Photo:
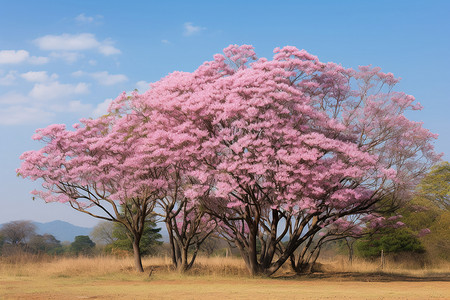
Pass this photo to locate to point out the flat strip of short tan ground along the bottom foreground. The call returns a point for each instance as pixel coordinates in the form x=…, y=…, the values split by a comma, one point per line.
x=166, y=287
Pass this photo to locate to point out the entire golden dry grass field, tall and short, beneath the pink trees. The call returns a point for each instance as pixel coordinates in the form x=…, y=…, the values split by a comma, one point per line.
x=212, y=278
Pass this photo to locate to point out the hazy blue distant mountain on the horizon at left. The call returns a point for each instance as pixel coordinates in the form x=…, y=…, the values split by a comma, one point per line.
x=61, y=230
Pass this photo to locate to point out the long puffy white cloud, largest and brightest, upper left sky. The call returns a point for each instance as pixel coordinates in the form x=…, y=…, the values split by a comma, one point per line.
x=75, y=42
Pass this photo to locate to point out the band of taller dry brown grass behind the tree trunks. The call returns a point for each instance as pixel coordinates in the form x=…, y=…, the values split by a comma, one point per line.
x=32, y=265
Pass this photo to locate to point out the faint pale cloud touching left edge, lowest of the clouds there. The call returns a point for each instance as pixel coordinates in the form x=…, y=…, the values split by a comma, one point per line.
x=16, y=115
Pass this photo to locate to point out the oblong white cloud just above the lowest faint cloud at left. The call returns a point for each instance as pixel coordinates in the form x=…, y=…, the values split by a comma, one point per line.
x=55, y=90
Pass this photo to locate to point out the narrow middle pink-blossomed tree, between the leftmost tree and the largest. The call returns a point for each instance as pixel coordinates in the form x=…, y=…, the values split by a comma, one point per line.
x=167, y=150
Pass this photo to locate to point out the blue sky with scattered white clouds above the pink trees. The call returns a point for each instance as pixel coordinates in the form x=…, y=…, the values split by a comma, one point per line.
x=63, y=60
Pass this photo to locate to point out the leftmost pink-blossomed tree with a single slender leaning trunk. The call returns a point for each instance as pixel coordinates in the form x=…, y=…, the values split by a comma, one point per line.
x=97, y=169
